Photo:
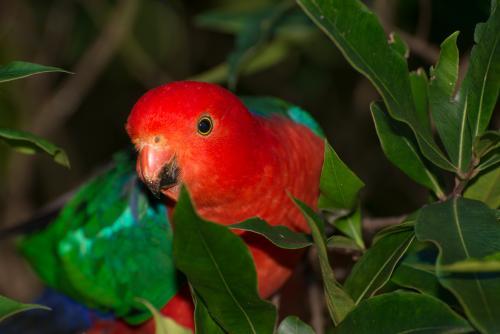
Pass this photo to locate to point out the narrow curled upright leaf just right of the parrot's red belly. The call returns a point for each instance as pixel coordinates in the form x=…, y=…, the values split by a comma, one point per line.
x=338, y=301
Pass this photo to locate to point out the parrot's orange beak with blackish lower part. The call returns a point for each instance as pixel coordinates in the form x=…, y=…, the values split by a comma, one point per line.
x=158, y=169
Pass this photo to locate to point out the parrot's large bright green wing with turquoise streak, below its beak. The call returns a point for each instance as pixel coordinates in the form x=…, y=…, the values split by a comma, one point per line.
x=110, y=244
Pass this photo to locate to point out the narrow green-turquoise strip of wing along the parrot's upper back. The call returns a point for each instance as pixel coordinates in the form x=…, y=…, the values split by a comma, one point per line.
x=270, y=106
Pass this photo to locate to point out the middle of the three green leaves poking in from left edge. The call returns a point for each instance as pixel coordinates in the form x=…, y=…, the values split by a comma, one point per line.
x=29, y=143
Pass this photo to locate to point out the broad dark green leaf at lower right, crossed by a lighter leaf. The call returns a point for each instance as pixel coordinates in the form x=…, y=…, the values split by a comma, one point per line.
x=463, y=229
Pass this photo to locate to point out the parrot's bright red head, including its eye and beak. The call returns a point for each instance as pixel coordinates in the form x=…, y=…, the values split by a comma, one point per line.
x=192, y=133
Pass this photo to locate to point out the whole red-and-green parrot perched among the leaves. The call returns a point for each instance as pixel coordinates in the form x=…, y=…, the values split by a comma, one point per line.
x=112, y=242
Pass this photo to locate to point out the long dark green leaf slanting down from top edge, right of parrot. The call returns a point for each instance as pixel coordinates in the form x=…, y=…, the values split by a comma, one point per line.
x=365, y=46
